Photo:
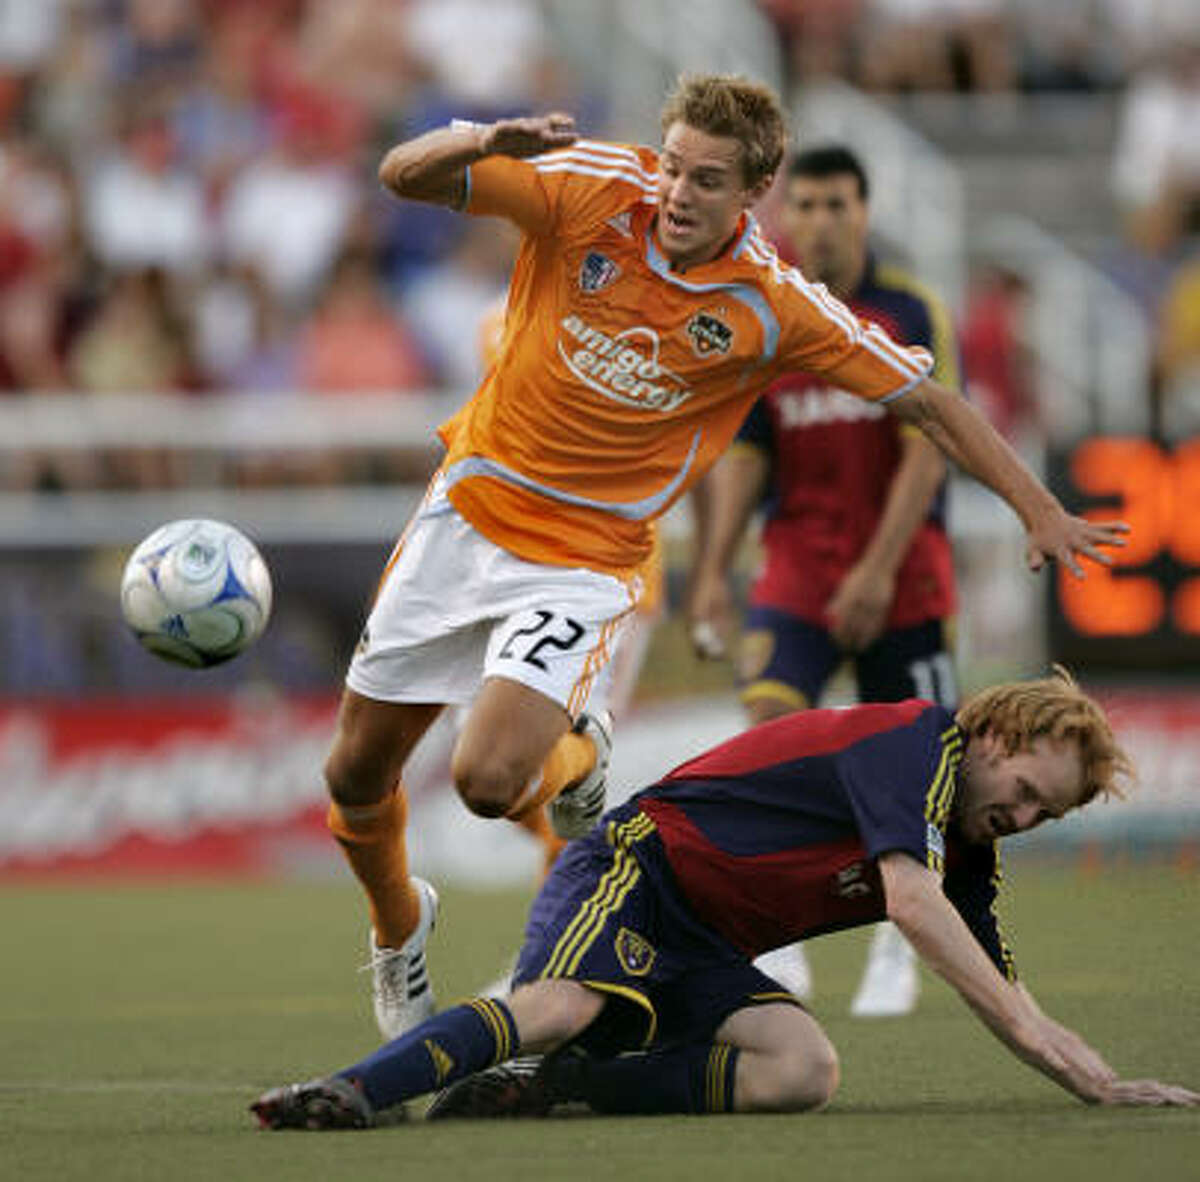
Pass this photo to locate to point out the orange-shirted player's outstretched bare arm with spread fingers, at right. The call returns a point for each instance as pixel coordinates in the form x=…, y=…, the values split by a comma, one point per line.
x=971, y=442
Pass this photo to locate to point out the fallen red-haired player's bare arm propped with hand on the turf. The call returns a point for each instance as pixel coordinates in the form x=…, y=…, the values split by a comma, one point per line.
x=920, y=909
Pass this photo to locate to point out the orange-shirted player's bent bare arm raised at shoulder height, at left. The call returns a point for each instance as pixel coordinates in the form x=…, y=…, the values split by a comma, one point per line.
x=434, y=167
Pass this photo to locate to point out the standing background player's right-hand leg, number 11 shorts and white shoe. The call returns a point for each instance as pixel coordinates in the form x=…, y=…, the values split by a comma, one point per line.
x=902, y=664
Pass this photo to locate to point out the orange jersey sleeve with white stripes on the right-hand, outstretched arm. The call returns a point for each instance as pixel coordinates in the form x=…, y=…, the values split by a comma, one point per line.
x=821, y=335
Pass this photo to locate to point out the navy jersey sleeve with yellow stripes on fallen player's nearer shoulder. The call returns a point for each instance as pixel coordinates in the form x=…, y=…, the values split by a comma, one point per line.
x=901, y=784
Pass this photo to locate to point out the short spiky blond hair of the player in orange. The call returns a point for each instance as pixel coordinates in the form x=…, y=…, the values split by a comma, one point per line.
x=736, y=107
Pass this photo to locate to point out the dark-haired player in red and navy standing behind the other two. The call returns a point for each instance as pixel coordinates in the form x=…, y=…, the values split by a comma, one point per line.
x=856, y=557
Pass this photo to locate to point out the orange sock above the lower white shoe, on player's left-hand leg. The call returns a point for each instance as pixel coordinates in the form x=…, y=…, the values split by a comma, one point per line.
x=373, y=838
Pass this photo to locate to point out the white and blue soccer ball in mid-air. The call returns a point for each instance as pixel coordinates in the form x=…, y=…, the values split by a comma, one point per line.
x=196, y=593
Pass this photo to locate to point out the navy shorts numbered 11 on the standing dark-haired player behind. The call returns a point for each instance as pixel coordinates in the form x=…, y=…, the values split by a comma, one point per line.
x=789, y=658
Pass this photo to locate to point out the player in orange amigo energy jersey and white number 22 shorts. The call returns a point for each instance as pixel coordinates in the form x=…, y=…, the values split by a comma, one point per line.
x=645, y=313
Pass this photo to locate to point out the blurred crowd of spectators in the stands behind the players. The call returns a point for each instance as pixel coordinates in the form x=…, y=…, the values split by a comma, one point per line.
x=188, y=196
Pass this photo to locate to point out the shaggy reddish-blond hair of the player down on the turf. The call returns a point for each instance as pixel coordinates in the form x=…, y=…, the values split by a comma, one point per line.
x=1054, y=707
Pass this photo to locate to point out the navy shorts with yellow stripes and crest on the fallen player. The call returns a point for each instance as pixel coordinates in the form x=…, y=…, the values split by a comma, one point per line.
x=610, y=916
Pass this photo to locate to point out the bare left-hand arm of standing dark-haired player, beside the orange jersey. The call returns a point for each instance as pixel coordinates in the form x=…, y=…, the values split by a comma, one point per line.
x=731, y=490
